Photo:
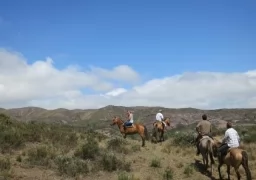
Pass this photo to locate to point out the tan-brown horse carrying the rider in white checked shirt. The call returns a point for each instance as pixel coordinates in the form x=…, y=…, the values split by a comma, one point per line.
x=234, y=158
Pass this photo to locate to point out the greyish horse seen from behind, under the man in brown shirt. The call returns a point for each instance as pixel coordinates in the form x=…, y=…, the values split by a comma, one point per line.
x=206, y=149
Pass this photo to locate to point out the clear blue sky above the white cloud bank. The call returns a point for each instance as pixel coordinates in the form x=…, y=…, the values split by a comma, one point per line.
x=156, y=38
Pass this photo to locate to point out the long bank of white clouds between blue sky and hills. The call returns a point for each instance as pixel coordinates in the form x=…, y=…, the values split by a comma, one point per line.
x=41, y=84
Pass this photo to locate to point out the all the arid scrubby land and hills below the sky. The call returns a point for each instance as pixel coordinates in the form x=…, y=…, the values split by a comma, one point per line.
x=80, y=144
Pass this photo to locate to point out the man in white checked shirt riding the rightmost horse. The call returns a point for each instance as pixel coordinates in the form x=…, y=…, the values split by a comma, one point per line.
x=230, y=140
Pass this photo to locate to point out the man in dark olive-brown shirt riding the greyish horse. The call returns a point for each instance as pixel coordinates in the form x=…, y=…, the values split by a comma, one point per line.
x=203, y=128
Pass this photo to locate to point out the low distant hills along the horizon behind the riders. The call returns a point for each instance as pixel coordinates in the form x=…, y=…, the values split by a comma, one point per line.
x=102, y=117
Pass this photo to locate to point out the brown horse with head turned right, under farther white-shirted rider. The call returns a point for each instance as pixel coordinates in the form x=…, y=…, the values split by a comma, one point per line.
x=158, y=127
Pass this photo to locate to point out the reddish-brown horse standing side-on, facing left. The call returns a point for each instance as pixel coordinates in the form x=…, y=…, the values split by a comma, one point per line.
x=136, y=128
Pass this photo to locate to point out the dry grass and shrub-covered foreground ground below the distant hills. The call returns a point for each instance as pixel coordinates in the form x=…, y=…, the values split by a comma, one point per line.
x=70, y=154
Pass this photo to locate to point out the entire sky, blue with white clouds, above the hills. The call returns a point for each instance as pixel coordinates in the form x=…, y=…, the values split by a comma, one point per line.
x=89, y=54
